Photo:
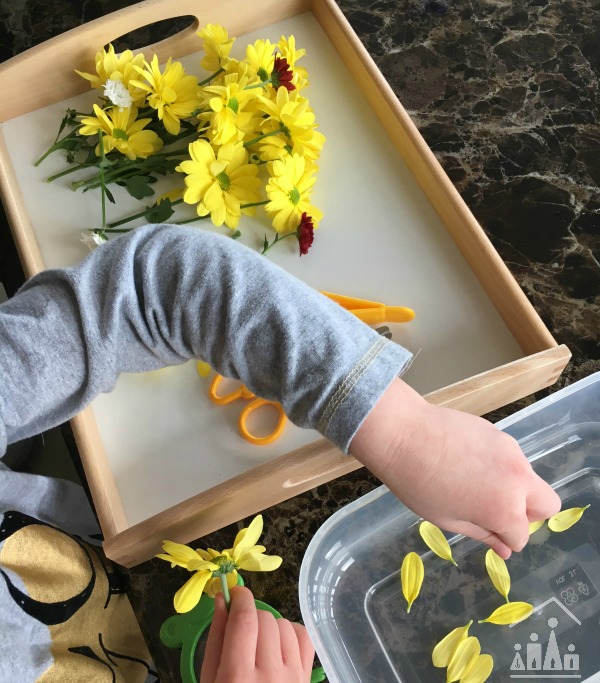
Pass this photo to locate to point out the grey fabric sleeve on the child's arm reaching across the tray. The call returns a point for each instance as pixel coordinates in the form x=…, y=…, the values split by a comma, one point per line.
x=162, y=295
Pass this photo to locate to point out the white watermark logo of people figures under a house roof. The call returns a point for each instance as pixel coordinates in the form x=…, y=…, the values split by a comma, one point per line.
x=532, y=660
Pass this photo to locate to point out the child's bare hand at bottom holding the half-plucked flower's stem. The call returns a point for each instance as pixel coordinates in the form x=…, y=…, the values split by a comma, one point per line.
x=248, y=645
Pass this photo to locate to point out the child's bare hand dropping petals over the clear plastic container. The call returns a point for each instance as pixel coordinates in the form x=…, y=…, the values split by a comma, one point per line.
x=453, y=469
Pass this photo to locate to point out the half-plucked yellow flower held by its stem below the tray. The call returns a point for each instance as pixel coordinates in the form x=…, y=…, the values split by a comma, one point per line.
x=209, y=565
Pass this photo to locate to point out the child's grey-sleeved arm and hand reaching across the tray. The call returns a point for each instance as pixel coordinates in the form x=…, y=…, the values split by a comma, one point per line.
x=162, y=295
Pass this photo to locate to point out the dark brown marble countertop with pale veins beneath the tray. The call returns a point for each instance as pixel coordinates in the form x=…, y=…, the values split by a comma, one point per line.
x=507, y=94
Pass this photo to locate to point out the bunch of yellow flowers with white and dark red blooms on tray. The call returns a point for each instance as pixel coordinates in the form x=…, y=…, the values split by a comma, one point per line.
x=251, y=138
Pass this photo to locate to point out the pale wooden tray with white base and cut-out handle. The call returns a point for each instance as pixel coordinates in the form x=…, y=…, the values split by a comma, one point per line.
x=160, y=459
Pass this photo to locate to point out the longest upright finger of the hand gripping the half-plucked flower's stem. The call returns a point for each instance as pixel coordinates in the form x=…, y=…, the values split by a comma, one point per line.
x=241, y=633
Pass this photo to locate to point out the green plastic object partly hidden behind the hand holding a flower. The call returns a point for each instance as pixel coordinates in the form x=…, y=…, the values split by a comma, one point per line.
x=183, y=631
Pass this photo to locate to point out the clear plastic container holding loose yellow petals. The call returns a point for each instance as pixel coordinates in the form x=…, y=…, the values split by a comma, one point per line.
x=350, y=592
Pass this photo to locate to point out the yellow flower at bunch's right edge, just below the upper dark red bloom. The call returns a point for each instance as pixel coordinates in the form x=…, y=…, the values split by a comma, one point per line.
x=290, y=113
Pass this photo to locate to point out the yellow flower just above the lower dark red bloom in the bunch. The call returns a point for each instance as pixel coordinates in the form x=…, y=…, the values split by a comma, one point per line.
x=289, y=190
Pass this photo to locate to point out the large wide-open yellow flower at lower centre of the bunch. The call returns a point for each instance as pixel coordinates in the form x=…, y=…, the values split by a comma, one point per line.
x=220, y=184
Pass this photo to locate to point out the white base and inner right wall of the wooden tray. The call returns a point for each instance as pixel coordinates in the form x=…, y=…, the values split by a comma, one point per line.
x=380, y=240
